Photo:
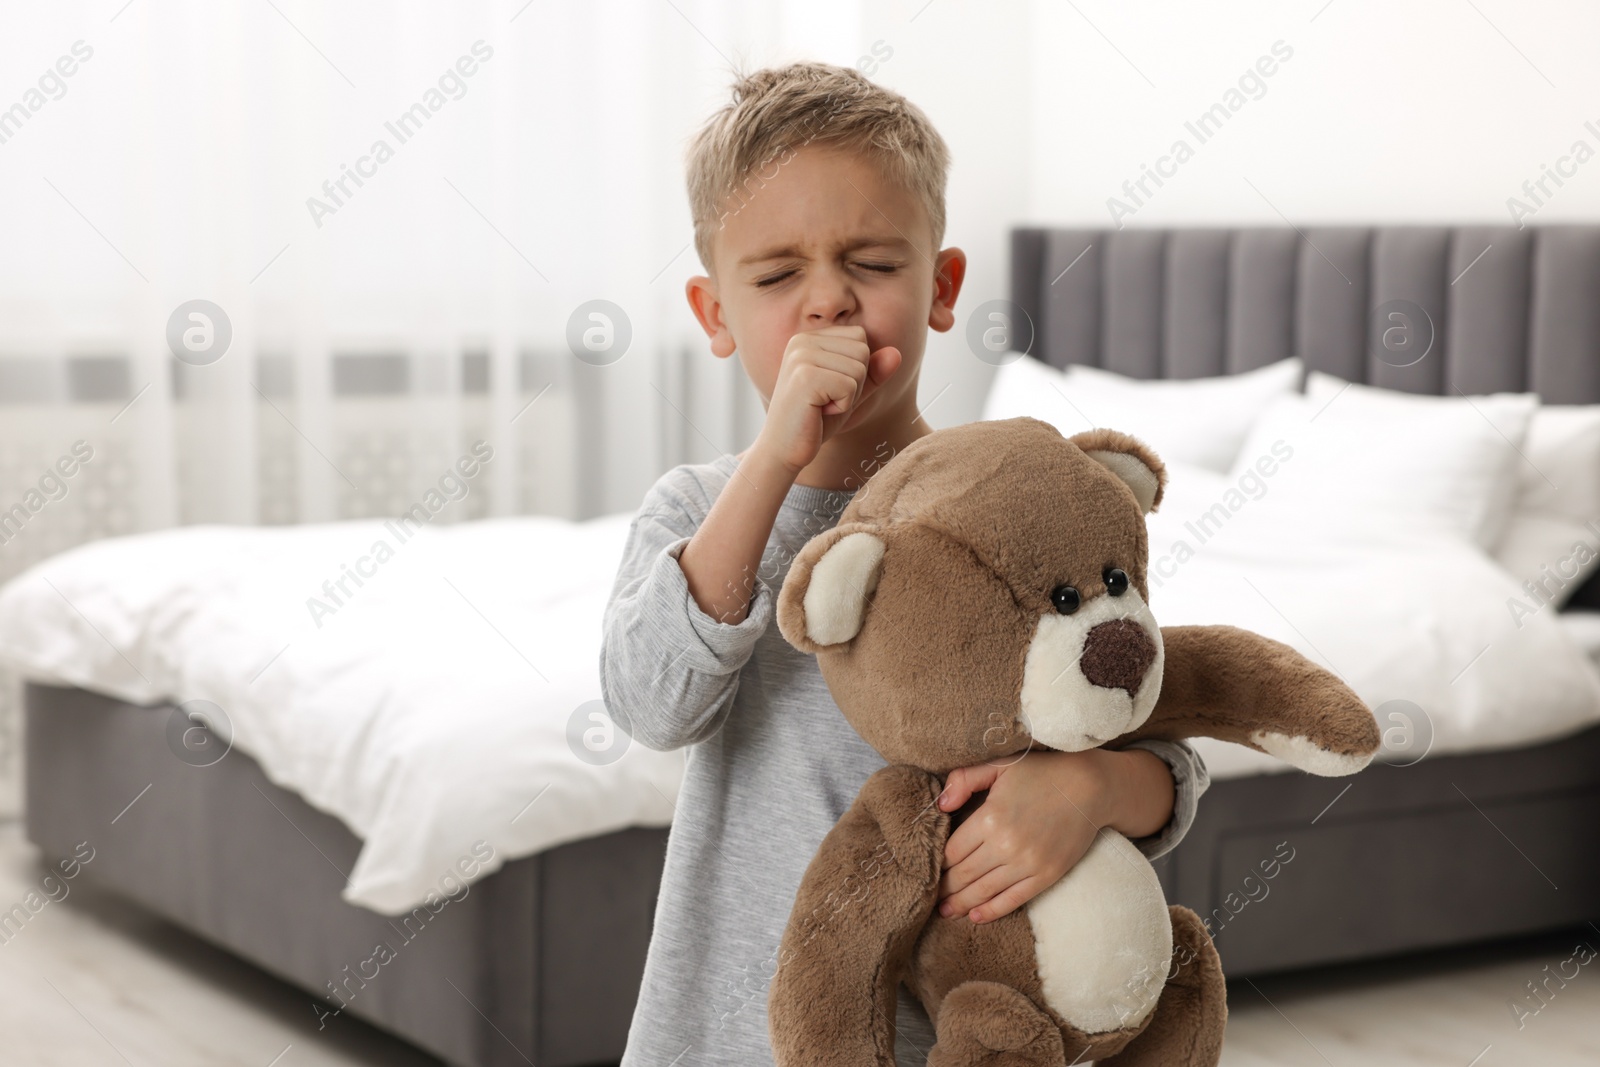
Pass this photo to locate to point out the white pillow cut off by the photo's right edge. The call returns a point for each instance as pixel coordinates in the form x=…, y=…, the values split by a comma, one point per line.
x=1556, y=521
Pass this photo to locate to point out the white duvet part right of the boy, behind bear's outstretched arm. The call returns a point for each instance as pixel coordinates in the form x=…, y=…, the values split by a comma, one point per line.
x=1420, y=626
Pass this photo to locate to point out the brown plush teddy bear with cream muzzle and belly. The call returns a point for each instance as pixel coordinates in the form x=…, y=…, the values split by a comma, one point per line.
x=985, y=596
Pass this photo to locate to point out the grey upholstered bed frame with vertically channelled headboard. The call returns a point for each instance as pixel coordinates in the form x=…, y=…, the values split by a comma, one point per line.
x=542, y=962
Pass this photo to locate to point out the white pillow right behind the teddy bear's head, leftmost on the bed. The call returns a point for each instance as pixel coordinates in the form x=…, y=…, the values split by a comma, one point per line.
x=1199, y=422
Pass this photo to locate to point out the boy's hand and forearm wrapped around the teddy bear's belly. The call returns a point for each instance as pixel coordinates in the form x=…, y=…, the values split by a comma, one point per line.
x=1041, y=817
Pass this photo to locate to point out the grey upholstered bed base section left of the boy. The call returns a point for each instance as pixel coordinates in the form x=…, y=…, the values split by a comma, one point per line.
x=538, y=964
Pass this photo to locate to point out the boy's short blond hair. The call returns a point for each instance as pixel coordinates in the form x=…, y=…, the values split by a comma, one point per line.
x=778, y=110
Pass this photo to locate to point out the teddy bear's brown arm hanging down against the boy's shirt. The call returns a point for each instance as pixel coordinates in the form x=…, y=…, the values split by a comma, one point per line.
x=865, y=900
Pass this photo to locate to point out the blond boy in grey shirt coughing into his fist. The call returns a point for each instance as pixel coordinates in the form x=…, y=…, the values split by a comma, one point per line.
x=818, y=206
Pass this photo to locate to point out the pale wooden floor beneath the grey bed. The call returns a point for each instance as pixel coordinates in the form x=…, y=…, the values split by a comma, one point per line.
x=94, y=981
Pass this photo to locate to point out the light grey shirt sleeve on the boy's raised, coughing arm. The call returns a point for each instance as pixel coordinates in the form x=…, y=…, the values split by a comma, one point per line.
x=670, y=671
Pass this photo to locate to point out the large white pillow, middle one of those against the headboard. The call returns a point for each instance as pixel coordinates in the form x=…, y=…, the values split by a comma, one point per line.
x=1367, y=463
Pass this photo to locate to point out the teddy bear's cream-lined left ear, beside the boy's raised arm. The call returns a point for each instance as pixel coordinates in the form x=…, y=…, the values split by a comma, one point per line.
x=826, y=594
